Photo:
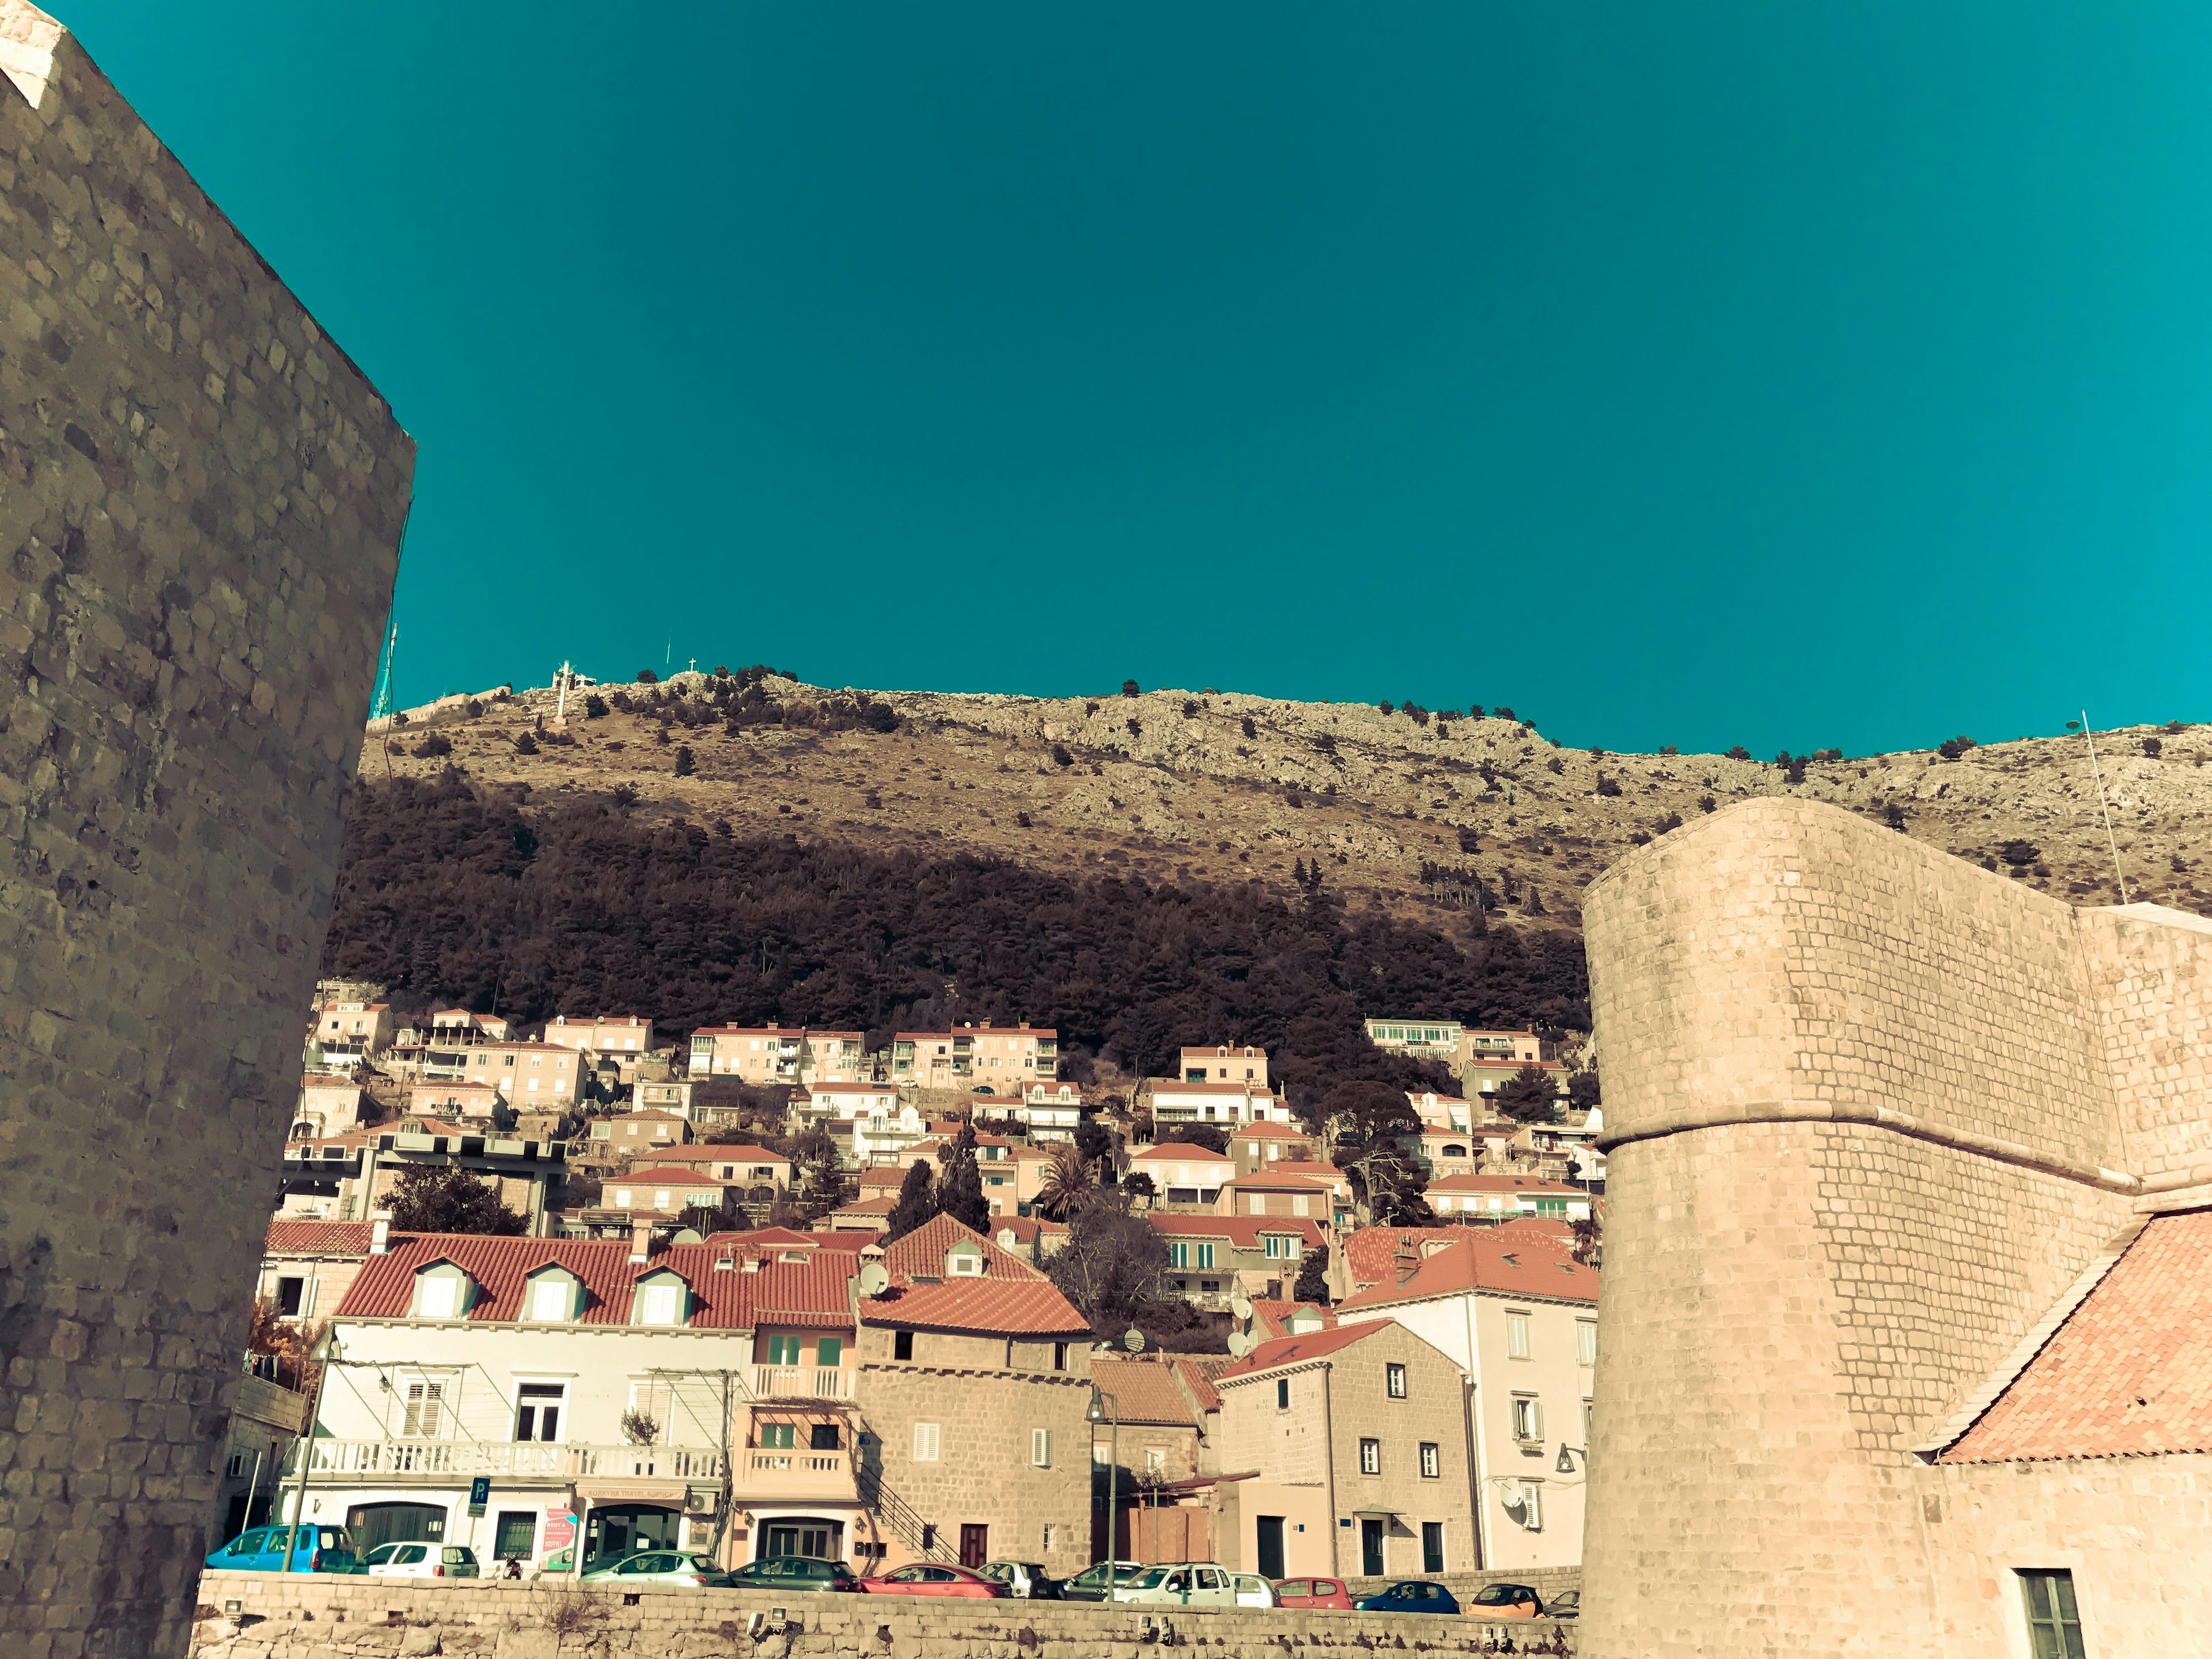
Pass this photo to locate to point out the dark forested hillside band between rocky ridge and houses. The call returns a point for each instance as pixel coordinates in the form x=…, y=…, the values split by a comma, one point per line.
x=463, y=893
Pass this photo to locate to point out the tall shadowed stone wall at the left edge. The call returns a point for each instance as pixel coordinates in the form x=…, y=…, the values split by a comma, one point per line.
x=200, y=519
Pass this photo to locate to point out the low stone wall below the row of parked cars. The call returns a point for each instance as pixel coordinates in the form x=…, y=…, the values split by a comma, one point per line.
x=317, y=1618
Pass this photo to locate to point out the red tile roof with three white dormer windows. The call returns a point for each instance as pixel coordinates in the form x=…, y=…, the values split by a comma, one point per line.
x=811, y=1293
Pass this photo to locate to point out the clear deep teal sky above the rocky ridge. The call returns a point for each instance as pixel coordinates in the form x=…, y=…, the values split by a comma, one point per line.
x=1815, y=375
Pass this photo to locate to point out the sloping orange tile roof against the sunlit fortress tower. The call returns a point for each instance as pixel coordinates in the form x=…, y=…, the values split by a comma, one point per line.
x=2129, y=1375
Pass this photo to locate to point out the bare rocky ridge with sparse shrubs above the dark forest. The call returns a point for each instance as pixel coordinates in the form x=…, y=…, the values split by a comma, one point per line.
x=1171, y=786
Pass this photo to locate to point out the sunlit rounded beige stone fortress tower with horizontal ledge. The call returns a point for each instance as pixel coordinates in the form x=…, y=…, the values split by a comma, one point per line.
x=1875, y=1114
